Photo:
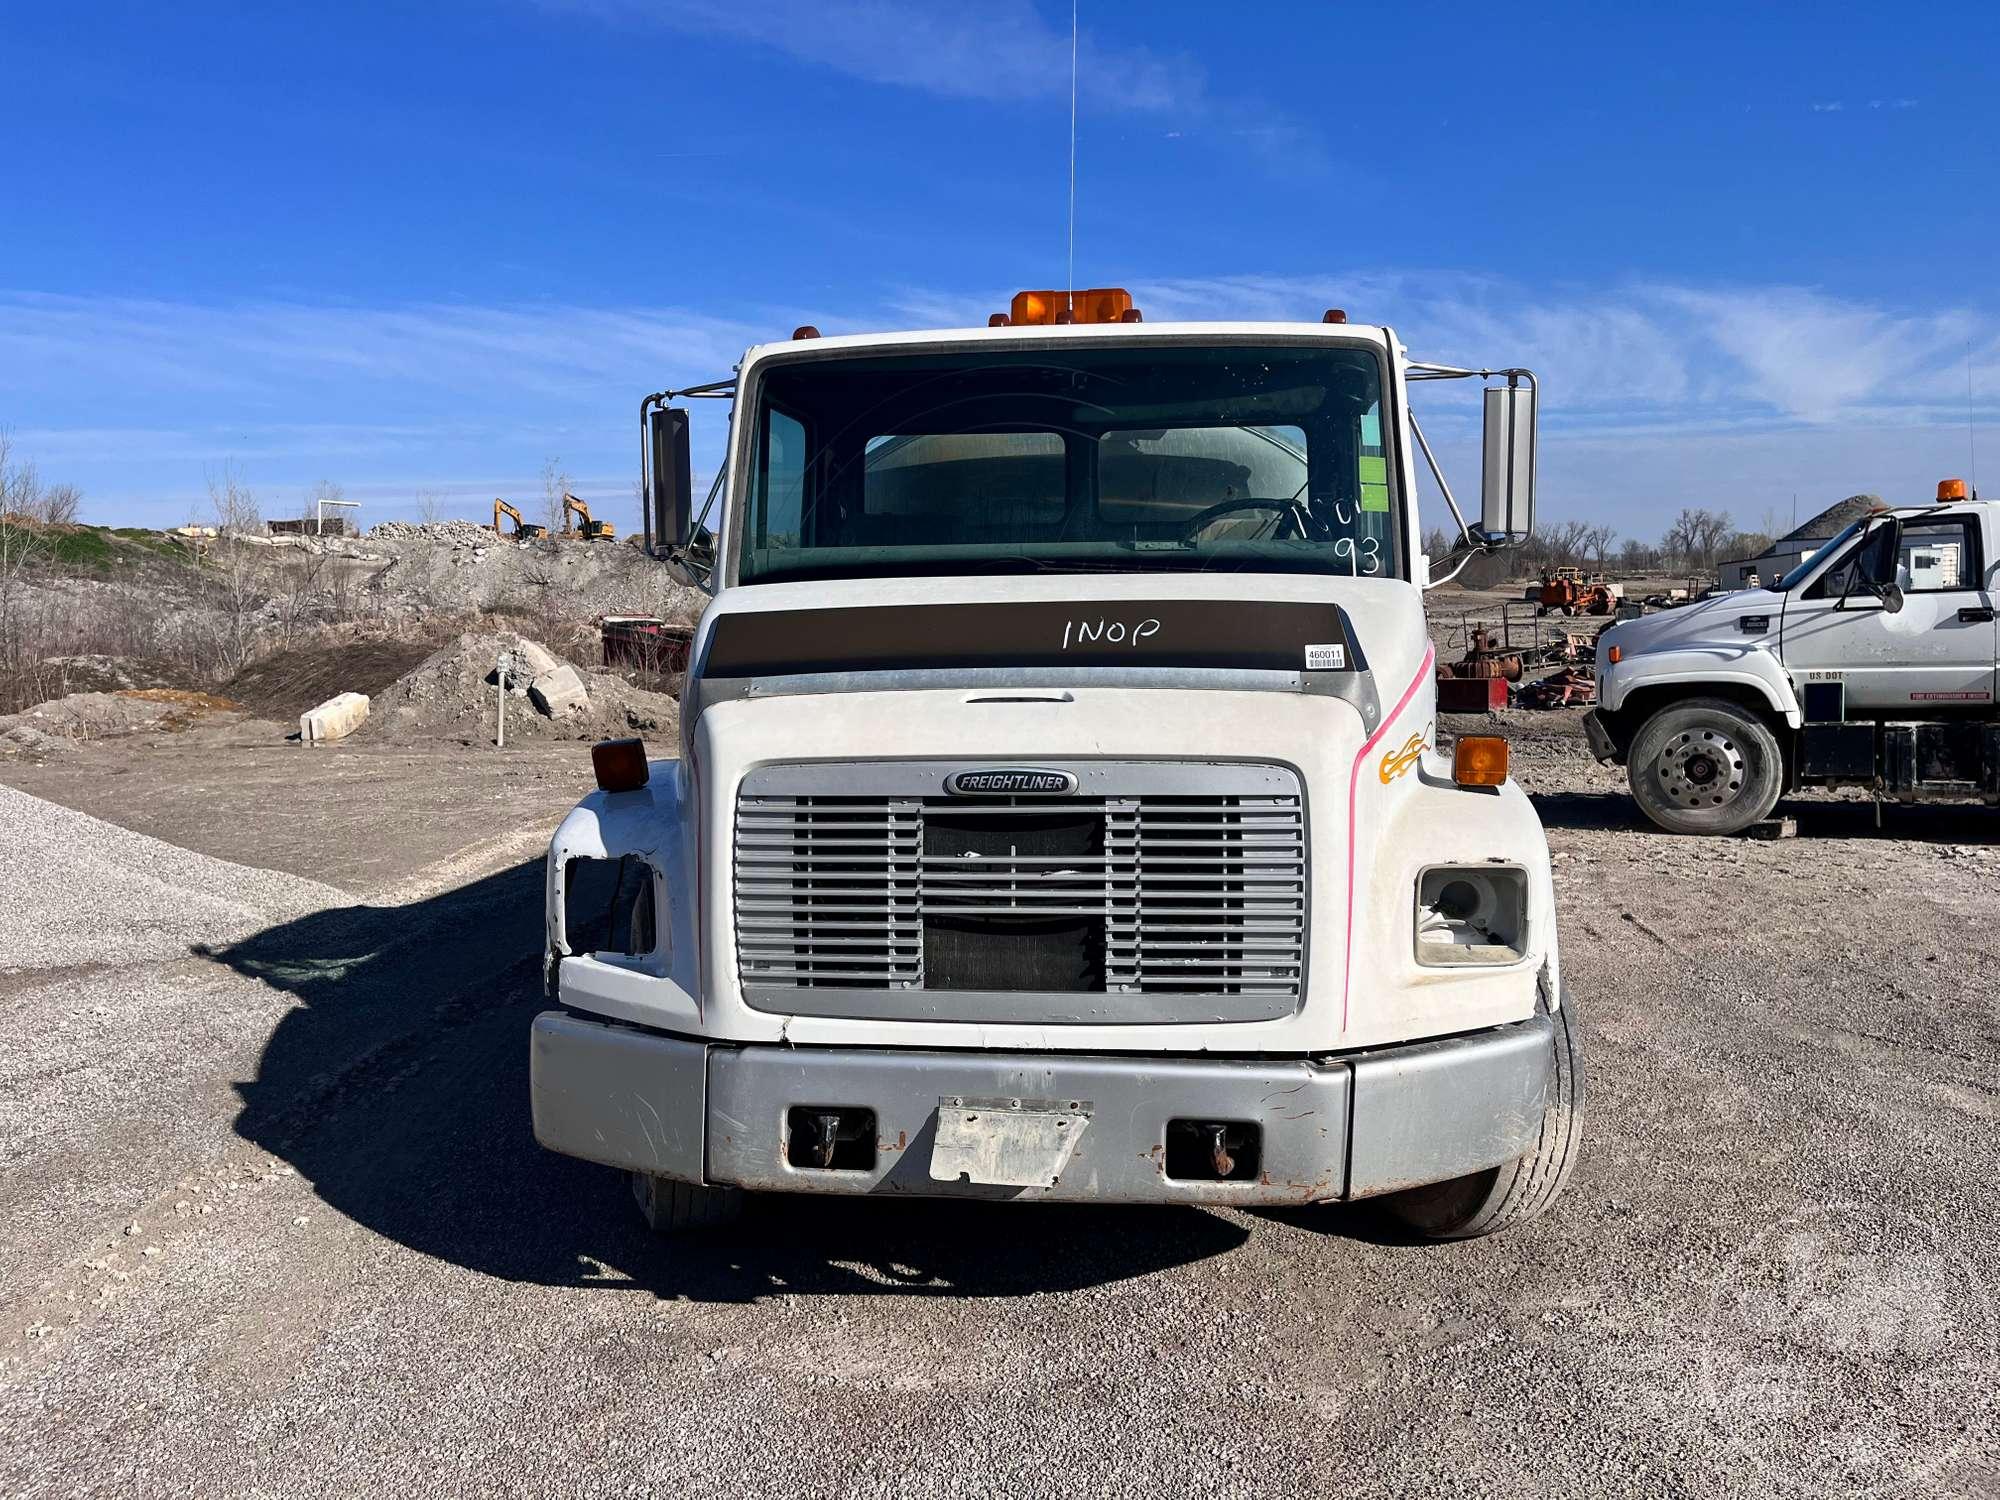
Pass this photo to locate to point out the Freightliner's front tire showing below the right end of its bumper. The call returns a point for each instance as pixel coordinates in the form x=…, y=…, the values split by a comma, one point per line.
x=1503, y=1197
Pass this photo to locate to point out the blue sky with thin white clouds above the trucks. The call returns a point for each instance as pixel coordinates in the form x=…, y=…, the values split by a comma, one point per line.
x=425, y=249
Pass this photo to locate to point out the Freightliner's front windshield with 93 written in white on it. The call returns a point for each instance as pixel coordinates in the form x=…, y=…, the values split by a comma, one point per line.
x=1115, y=459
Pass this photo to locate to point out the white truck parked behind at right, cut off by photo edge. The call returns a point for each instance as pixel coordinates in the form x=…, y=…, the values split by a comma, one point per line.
x=1867, y=665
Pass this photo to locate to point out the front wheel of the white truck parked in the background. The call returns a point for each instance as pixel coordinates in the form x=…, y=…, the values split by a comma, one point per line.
x=1705, y=767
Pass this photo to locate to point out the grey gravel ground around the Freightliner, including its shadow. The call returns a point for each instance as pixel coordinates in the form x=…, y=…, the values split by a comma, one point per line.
x=355, y=1271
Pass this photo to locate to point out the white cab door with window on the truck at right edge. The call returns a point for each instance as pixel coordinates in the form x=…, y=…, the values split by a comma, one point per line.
x=1935, y=653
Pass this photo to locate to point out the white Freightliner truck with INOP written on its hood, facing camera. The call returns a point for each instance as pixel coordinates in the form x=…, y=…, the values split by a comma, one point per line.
x=1059, y=811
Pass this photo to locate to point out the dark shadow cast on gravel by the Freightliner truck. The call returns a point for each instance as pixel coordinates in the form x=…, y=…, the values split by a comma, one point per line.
x=399, y=1089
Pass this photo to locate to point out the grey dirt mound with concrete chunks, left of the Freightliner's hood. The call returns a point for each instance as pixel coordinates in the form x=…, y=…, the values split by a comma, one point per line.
x=453, y=697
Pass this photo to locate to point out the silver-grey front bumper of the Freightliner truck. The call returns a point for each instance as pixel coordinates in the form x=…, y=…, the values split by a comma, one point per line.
x=1345, y=1127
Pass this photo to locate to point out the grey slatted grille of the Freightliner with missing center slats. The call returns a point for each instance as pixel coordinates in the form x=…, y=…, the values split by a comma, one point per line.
x=1157, y=895
